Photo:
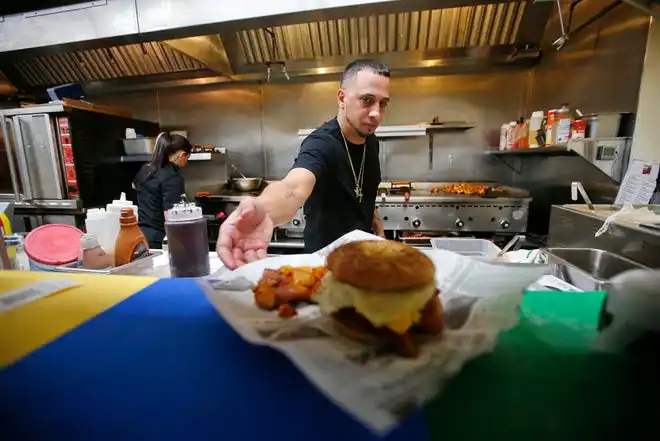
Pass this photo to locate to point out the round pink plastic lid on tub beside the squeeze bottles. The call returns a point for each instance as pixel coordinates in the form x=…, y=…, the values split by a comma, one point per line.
x=53, y=244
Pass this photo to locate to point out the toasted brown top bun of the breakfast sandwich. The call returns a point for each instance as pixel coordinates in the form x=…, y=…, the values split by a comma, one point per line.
x=381, y=265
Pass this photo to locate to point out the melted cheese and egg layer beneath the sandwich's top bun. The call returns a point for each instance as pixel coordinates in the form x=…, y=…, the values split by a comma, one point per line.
x=396, y=310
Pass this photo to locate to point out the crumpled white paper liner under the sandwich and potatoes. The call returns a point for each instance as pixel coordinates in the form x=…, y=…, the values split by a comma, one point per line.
x=379, y=388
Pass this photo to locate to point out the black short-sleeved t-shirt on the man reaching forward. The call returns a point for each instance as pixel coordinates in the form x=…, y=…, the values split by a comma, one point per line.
x=332, y=209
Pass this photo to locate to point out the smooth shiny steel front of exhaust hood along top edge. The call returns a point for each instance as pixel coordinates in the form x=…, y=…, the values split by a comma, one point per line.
x=107, y=19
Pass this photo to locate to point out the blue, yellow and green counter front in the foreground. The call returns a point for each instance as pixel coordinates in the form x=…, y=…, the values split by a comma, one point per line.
x=135, y=358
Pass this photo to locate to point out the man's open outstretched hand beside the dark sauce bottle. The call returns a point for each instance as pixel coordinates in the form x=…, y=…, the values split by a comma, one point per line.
x=244, y=235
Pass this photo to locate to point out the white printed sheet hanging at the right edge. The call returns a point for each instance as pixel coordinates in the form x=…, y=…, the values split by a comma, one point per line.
x=639, y=183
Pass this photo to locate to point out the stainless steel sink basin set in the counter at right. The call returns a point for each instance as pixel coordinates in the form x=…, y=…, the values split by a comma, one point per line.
x=588, y=269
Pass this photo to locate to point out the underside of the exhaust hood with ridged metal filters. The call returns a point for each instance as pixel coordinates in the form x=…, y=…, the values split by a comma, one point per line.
x=457, y=38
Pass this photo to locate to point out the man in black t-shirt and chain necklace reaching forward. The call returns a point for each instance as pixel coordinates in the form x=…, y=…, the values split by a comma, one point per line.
x=335, y=175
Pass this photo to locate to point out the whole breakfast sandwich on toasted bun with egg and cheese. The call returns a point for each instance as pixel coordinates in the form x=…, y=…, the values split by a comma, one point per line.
x=381, y=292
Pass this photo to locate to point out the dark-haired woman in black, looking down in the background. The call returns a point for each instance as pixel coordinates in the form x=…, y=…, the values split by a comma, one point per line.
x=159, y=185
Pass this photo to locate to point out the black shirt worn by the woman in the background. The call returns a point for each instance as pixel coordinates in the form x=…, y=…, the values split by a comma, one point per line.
x=156, y=194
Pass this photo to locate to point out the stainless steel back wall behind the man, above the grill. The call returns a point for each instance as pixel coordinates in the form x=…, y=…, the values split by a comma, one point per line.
x=260, y=130
